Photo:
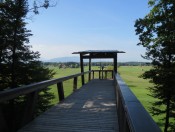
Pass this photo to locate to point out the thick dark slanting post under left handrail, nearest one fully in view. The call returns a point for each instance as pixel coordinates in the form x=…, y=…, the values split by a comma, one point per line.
x=29, y=111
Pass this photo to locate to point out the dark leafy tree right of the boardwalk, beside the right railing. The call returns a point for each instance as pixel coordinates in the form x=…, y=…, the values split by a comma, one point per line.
x=157, y=34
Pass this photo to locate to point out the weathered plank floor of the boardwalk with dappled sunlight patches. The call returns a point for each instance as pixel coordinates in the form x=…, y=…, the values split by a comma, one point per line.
x=90, y=109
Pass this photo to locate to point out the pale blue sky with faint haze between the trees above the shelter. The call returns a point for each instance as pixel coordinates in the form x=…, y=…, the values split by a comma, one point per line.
x=78, y=25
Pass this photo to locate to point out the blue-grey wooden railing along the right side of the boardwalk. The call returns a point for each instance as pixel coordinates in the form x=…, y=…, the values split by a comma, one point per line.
x=131, y=114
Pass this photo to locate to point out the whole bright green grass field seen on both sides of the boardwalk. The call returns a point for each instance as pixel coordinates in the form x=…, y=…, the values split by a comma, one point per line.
x=130, y=74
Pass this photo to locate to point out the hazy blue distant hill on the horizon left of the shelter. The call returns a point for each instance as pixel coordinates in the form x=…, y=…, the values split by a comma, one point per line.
x=64, y=59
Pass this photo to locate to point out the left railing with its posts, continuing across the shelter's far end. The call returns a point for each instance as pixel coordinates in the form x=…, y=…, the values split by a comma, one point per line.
x=31, y=92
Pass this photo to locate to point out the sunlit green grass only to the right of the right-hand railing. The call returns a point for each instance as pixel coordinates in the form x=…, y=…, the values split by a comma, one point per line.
x=139, y=86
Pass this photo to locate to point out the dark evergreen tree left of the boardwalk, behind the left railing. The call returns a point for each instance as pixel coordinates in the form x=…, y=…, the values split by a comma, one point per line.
x=18, y=64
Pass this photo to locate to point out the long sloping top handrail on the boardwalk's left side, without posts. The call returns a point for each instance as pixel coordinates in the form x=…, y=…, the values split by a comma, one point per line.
x=13, y=93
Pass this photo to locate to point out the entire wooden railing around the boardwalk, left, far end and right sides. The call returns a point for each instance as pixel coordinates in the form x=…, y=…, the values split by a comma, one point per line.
x=132, y=115
